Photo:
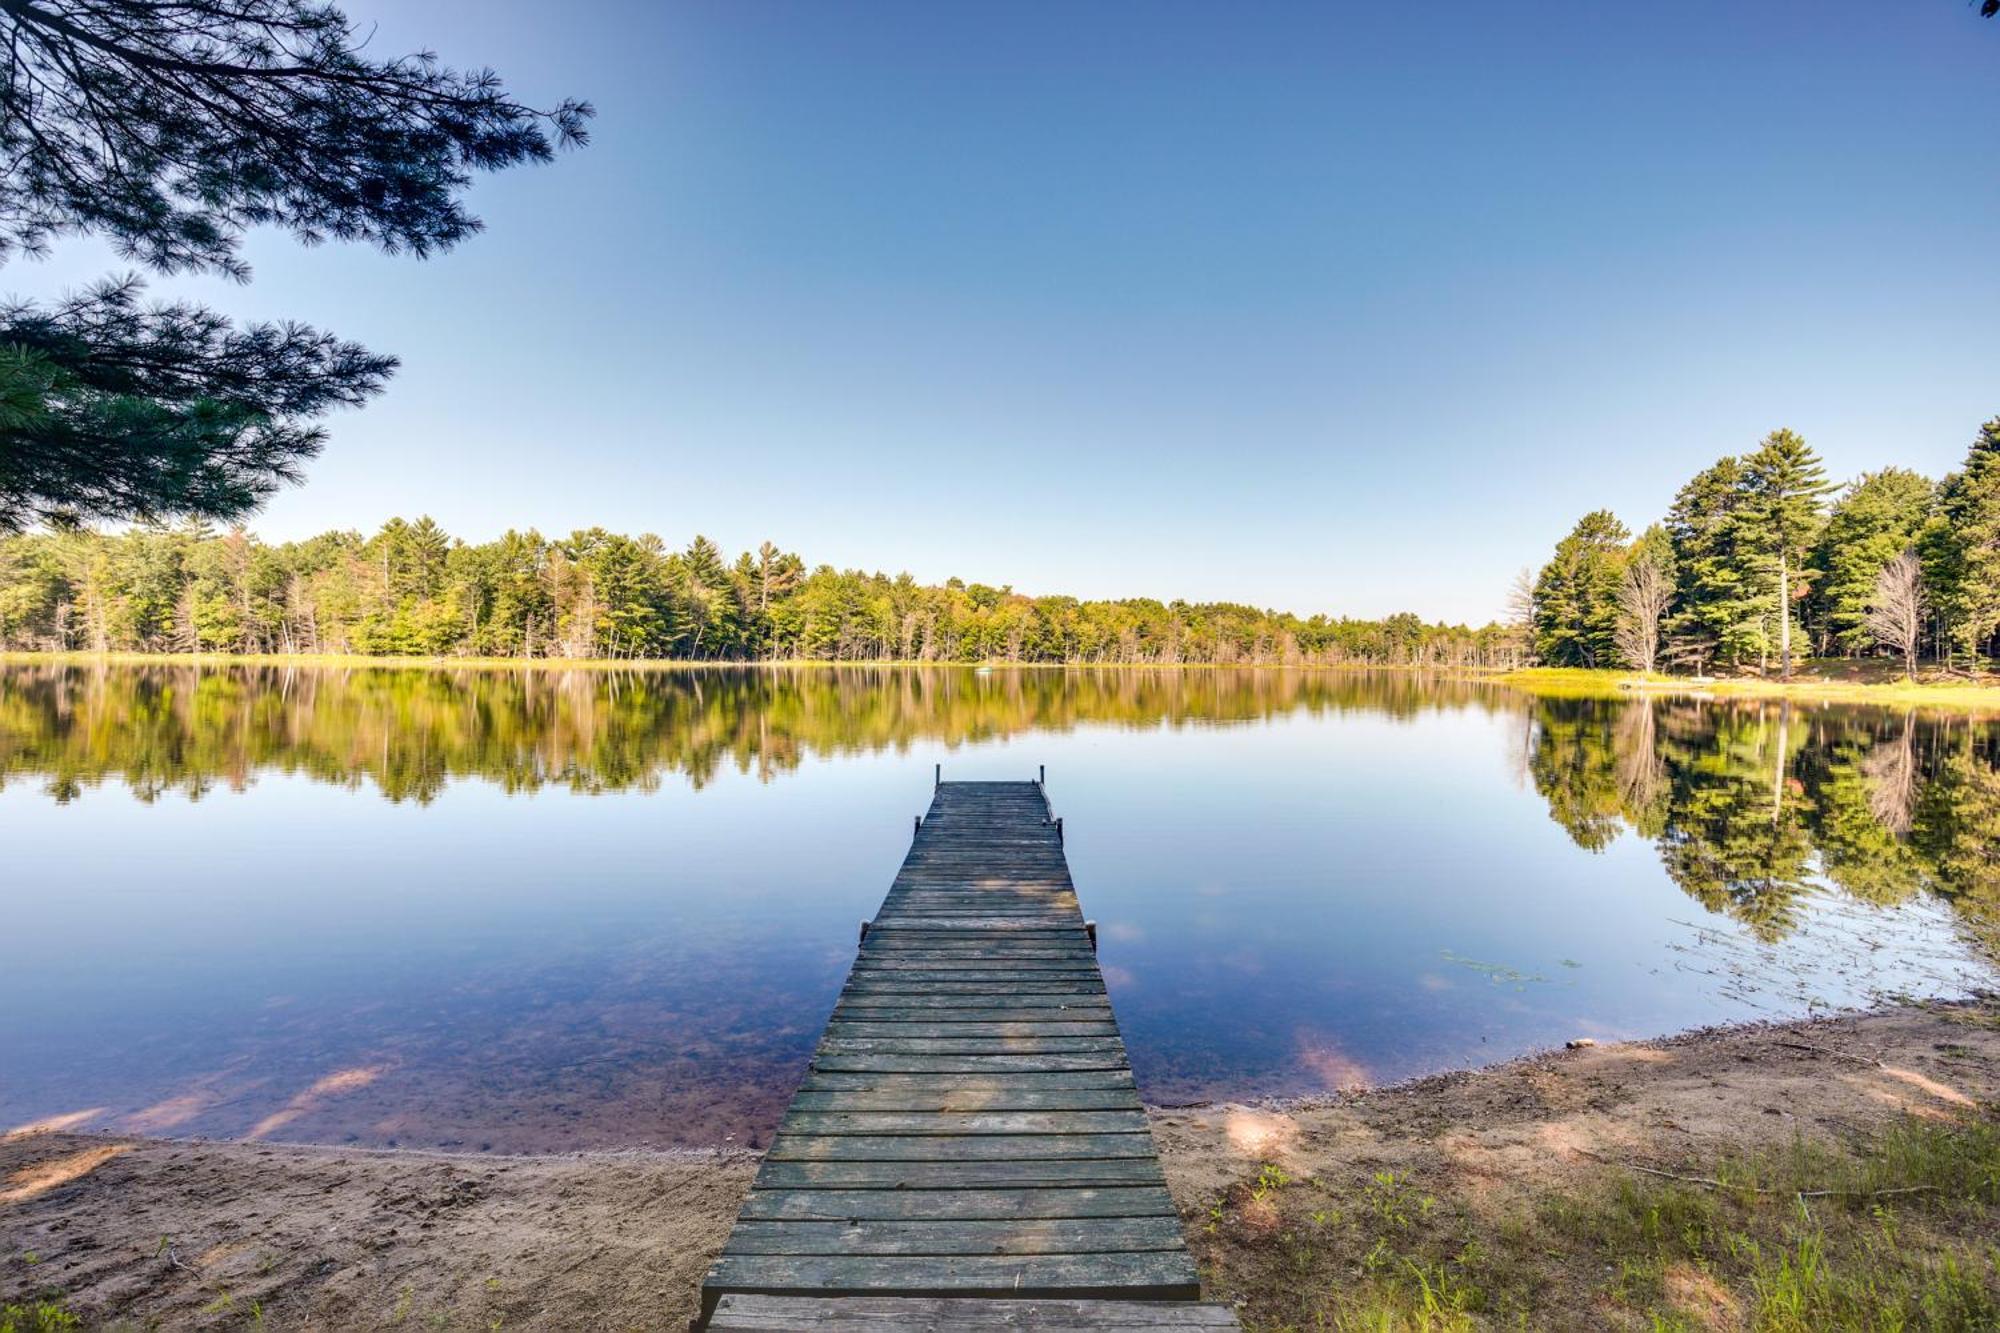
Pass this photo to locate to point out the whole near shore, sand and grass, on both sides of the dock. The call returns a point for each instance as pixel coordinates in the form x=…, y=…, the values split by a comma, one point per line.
x=1531, y=1192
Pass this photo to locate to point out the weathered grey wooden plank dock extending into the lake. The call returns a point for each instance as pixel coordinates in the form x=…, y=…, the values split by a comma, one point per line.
x=969, y=1148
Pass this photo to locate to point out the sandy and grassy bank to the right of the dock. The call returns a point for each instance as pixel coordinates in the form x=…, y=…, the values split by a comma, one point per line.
x=1789, y=1178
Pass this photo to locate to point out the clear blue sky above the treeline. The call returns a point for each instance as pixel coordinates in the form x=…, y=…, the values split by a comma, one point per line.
x=1327, y=307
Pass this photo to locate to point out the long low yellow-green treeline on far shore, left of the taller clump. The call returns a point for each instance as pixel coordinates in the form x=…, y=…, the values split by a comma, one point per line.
x=415, y=591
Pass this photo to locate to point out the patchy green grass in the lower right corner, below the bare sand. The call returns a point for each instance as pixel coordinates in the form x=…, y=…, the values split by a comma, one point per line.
x=1899, y=1236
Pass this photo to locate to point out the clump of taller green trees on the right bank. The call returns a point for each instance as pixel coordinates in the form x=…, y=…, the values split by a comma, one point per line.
x=1761, y=559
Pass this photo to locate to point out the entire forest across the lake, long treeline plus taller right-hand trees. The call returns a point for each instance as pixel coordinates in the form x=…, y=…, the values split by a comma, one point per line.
x=1759, y=561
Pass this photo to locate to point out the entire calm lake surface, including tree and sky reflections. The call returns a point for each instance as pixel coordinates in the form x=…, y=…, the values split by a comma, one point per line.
x=539, y=912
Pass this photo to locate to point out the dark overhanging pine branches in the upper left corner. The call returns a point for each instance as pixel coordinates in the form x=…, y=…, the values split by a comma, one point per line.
x=173, y=129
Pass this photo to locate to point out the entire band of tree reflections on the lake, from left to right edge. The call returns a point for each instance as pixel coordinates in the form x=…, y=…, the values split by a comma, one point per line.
x=1749, y=806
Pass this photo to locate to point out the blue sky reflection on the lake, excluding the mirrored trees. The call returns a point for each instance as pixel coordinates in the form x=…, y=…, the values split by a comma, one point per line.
x=1285, y=906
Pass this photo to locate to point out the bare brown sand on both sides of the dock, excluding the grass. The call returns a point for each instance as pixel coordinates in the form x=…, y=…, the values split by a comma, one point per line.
x=175, y=1234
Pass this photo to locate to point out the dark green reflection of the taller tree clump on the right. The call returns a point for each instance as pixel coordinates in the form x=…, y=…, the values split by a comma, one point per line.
x=1751, y=806
